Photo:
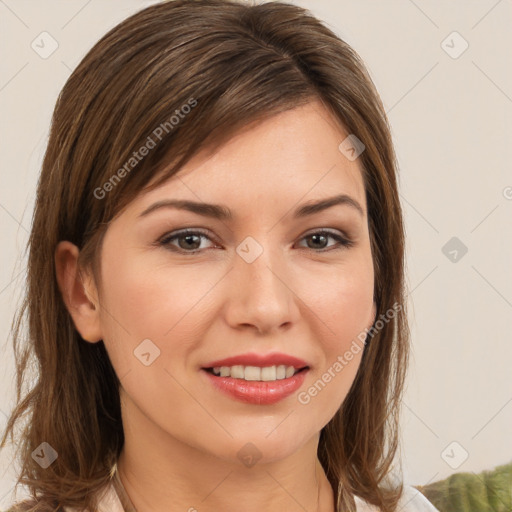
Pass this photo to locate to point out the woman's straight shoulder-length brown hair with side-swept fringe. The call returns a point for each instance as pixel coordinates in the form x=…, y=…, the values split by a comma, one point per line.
x=234, y=63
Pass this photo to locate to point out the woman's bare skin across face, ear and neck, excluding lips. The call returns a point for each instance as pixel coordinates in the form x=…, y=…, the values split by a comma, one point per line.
x=302, y=297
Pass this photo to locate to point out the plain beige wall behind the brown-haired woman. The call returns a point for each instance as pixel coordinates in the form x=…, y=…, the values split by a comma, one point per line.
x=452, y=125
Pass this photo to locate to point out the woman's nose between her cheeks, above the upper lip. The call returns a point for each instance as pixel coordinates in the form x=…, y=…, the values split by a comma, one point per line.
x=261, y=293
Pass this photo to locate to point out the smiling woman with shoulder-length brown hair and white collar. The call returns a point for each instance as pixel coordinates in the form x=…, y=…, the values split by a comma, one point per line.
x=215, y=285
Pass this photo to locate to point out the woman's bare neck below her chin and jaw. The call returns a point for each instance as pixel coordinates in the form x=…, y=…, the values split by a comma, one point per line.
x=161, y=474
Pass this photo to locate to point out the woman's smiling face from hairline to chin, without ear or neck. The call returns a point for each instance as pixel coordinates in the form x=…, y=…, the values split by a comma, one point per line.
x=263, y=280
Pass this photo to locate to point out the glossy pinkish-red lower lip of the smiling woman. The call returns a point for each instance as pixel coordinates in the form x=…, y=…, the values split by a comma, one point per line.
x=257, y=392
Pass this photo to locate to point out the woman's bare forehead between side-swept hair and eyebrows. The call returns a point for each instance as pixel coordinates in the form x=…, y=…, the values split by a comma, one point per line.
x=291, y=156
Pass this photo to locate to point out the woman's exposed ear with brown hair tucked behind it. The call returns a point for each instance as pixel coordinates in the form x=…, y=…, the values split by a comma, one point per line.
x=78, y=292
